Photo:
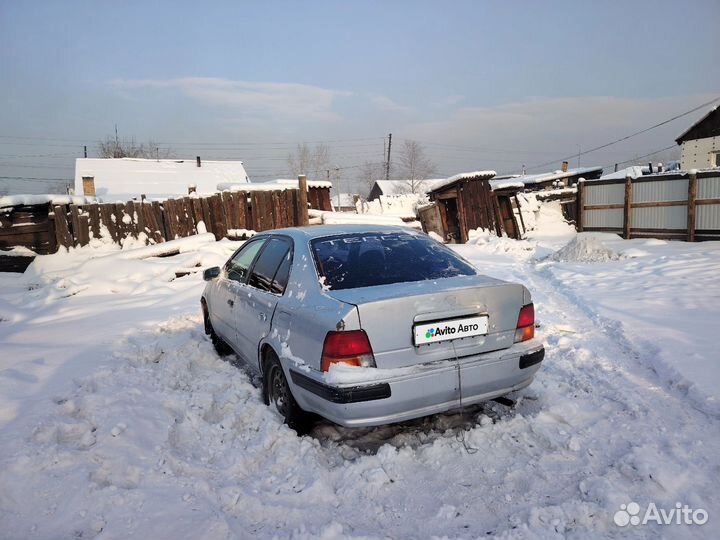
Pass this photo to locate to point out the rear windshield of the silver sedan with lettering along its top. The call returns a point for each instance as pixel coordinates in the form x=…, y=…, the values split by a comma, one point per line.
x=351, y=261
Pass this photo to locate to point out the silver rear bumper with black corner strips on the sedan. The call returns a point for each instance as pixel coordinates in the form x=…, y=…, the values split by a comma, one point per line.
x=419, y=391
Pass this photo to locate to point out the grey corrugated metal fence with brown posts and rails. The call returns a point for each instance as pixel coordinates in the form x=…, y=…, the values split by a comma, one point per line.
x=679, y=206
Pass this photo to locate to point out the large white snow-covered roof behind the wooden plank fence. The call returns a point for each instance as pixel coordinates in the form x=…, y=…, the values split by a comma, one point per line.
x=127, y=178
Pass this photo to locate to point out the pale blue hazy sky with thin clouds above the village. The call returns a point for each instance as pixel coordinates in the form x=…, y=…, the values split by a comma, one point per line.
x=484, y=85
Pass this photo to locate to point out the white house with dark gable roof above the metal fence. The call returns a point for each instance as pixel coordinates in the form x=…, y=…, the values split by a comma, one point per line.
x=700, y=144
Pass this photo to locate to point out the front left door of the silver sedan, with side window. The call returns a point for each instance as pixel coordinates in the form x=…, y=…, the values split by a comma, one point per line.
x=227, y=289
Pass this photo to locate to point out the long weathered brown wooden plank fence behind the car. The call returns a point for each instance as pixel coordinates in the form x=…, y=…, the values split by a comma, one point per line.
x=229, y=214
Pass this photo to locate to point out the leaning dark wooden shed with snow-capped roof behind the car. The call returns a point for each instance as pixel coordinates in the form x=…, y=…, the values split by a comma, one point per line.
x=465, y=202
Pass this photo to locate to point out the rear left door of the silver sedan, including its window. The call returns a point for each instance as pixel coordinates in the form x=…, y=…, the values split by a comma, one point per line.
x=265, y=286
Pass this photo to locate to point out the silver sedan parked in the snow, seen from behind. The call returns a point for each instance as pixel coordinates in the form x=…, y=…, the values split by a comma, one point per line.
x=367, y=325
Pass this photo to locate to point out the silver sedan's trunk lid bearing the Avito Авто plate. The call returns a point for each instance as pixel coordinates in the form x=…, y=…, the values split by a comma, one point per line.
x=389, y=314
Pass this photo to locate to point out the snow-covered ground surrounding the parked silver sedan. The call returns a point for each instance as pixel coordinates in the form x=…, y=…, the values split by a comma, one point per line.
x=118, y=420
